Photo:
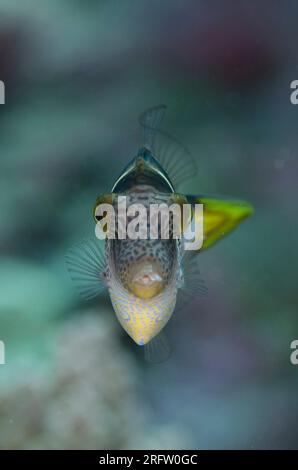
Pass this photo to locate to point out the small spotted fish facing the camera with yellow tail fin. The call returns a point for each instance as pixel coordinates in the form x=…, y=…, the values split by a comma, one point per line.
x=145, y=277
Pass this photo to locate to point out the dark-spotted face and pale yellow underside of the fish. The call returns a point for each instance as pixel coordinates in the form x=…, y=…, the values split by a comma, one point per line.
x=157, y=261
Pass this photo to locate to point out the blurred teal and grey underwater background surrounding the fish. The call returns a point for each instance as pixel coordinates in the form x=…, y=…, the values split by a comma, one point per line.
x=77, y=75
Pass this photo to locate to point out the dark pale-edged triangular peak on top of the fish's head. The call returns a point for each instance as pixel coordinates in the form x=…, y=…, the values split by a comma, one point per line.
x=144, y=169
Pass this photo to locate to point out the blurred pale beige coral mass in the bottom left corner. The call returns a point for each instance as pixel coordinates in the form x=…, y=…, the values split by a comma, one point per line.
x=82, y=396
